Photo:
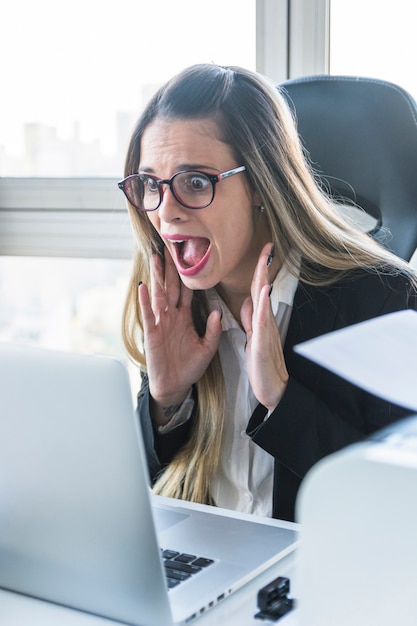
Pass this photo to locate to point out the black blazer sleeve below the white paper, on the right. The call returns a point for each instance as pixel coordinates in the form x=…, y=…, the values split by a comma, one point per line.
x=305, y=426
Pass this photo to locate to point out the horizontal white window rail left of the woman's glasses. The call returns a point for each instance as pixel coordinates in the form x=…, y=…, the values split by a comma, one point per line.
x=64, y=217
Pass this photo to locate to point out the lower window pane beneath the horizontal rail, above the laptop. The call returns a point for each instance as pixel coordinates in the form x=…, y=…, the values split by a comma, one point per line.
x=68, y=304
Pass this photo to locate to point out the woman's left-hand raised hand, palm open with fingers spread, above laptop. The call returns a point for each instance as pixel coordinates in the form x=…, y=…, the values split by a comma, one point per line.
x=176, y=356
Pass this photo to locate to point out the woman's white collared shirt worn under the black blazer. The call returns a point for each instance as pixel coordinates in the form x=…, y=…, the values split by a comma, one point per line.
x=244, y=480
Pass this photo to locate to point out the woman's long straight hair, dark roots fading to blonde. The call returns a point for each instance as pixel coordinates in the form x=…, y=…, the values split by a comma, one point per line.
x=255, y=121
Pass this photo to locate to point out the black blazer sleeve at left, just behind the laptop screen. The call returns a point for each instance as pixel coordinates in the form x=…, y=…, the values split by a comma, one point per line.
x=160, y=448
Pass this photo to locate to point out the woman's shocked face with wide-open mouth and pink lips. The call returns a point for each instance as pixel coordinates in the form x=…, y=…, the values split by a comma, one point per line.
x=217, y=245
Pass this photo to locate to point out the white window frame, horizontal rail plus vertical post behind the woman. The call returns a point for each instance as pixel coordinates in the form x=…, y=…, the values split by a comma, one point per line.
x=87, y=217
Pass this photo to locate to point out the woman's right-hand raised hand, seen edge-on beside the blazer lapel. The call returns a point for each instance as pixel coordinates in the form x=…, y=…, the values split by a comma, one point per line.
x=264, y=355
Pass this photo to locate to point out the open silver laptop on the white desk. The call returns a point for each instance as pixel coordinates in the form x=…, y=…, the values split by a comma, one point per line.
x=78, y=524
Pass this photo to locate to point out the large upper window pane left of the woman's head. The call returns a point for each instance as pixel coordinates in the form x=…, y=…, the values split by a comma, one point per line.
x=75, y=75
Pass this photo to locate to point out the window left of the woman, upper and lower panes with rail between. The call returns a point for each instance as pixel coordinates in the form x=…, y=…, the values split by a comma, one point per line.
x=75, y=80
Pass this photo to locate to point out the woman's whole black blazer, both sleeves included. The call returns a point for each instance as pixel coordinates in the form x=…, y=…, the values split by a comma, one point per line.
x=319, y=412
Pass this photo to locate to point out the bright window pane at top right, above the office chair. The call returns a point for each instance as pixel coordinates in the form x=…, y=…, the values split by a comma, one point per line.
x=374, y=39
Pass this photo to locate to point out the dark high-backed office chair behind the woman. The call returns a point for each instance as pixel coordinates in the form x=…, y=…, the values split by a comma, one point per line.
x=361, y=135
